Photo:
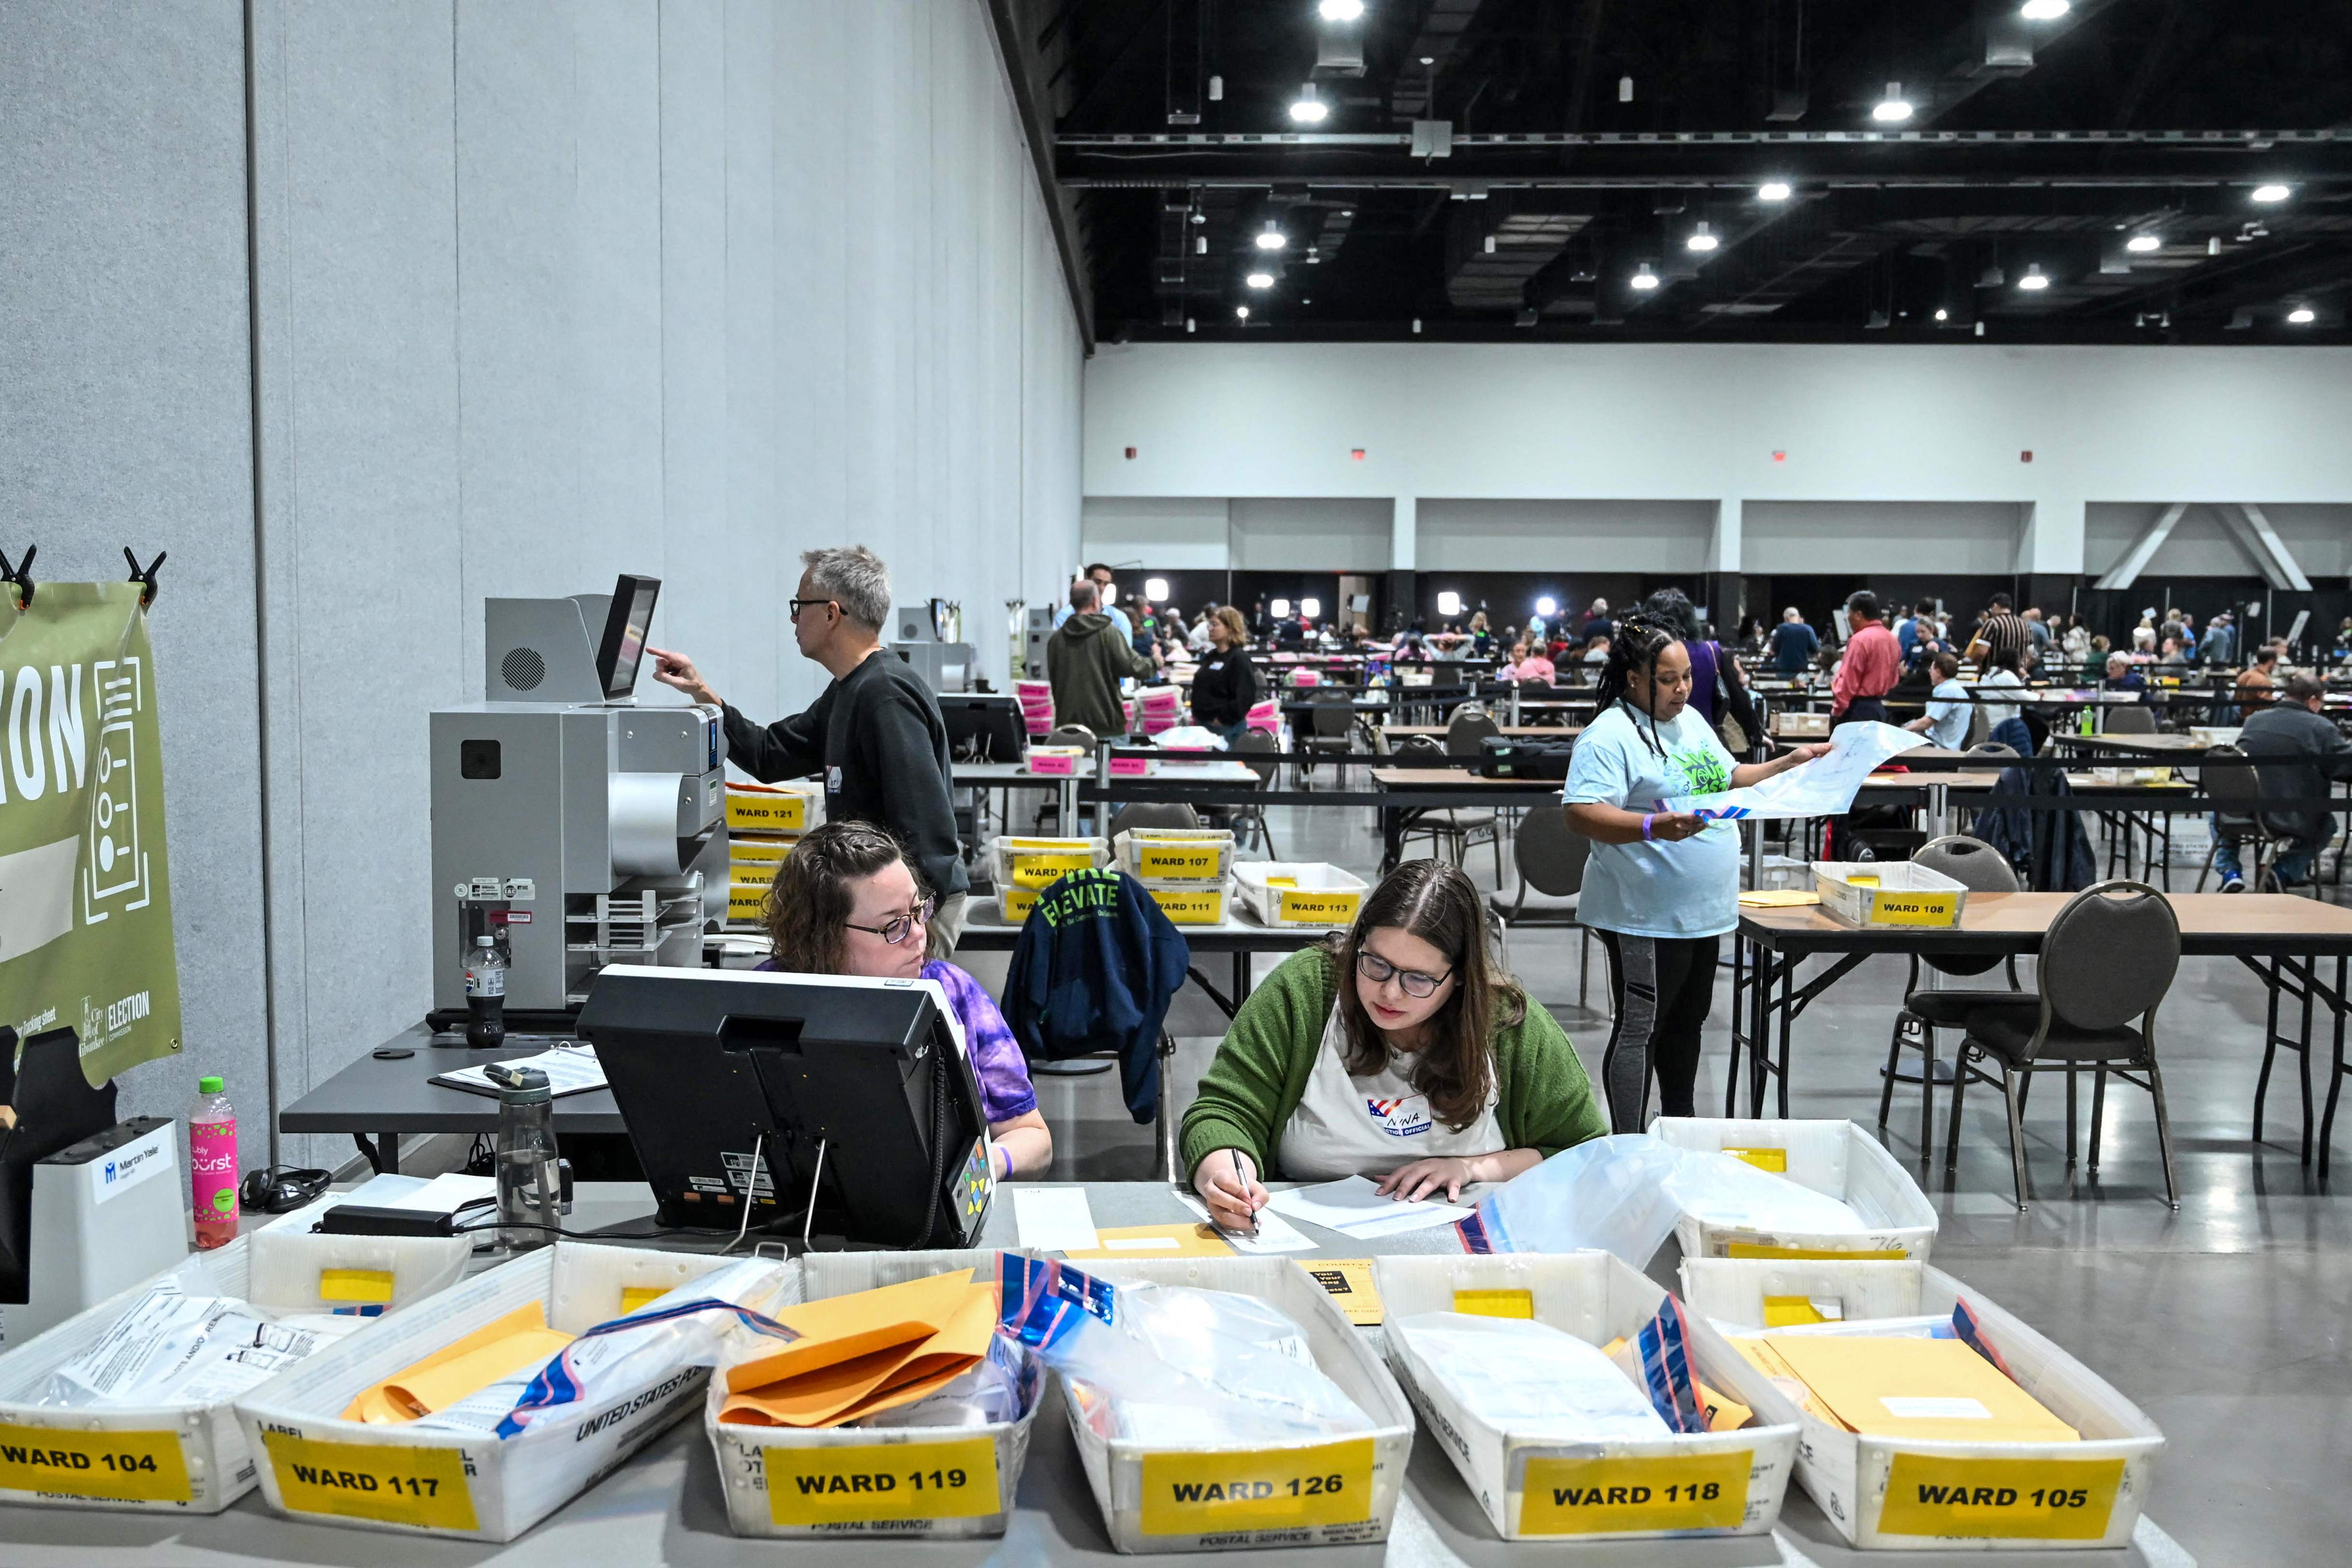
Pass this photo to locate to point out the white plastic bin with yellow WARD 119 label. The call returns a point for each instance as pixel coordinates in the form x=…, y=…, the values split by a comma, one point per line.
x=907, y=1482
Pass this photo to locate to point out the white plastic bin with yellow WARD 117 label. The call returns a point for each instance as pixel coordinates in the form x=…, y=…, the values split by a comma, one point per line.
x=394, y=1477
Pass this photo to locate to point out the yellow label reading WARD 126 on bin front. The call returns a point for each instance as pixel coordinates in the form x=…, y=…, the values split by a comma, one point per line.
x=1276, y=1489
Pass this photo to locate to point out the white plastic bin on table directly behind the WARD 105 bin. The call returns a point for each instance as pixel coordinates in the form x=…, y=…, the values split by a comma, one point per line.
x=1831, y=1158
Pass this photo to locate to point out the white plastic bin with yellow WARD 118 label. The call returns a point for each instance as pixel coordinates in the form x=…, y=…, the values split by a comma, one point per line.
x=1685, y=1485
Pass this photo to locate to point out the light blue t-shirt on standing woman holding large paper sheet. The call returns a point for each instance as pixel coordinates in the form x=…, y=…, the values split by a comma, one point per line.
x=1655, y=887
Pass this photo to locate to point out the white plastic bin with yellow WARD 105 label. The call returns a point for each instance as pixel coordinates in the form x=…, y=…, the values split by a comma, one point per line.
x=1911, y=1494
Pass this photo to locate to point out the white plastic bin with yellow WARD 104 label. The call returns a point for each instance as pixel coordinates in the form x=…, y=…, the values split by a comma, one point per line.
x=192, y=1459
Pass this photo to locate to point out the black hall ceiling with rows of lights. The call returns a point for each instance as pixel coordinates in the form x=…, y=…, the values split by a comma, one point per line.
x=1591, y=138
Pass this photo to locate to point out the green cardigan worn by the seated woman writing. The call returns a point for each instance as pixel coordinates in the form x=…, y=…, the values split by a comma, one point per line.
x=1262, y=1073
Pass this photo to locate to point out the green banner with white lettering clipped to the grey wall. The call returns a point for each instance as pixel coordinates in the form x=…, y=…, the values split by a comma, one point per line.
x=86, y=897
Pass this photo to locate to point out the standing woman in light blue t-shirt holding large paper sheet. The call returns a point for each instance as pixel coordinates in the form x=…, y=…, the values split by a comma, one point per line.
x=1662, y=887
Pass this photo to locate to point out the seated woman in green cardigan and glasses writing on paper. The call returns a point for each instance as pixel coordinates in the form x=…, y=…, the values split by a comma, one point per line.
x=1394, y=1052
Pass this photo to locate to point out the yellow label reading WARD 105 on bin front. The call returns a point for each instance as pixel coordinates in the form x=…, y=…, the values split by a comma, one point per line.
x=2000, y=1499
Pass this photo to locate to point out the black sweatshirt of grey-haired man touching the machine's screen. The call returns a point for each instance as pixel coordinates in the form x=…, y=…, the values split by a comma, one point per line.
x=883, y=749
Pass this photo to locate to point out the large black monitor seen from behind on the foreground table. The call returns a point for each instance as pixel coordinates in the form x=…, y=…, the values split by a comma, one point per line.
x=763, y=1087
